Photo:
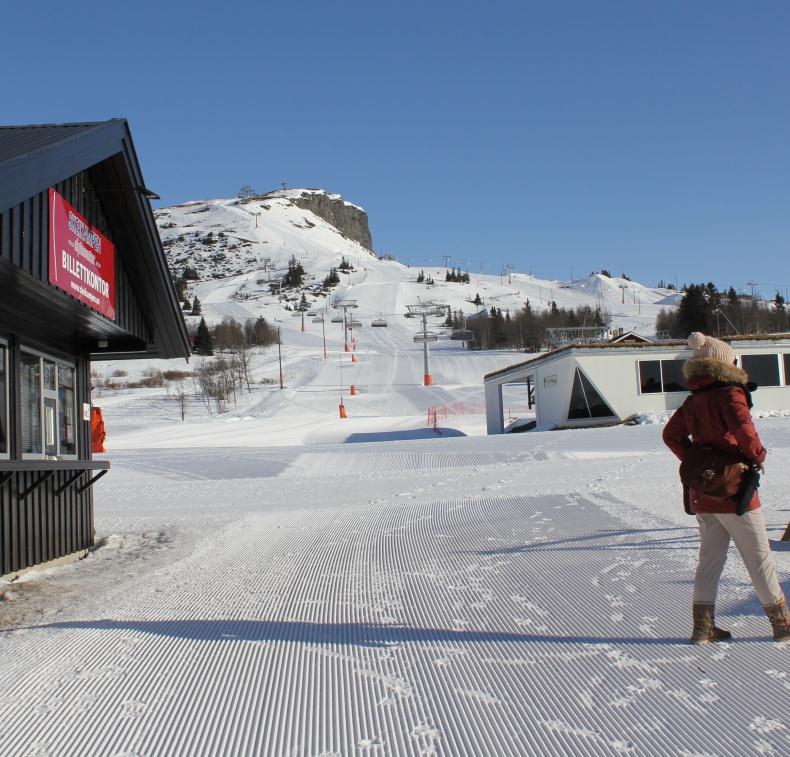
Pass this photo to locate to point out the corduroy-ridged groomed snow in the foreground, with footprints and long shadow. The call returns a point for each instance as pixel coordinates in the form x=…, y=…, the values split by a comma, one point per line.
x=495, y=626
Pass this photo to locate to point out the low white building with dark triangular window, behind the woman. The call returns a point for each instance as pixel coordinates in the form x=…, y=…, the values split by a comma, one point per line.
x=599, y=384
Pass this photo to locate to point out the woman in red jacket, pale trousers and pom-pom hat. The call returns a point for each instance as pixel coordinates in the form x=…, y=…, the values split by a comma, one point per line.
x=717, y=415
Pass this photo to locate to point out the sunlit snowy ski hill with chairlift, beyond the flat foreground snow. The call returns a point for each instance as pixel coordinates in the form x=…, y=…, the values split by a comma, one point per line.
x=390, y=401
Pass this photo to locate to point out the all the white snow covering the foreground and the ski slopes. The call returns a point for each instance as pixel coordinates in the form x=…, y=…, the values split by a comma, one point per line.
x=274, y=580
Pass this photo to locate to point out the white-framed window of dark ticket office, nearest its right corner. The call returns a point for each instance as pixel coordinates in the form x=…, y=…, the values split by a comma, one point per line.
x=48, y=407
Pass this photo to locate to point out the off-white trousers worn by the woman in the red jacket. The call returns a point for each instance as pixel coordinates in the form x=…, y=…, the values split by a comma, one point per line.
x=751, y=539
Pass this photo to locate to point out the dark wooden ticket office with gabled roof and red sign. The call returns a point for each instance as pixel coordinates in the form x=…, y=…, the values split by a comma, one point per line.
x=82, y=276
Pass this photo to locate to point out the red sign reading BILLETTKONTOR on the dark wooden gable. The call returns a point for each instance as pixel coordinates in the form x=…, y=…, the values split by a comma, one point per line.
x=81, y=258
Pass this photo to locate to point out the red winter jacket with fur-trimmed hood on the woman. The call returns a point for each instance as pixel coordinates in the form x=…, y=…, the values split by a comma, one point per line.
x=718, y=417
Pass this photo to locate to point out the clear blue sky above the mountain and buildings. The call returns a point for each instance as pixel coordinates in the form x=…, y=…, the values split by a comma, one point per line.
x=562, y=136
